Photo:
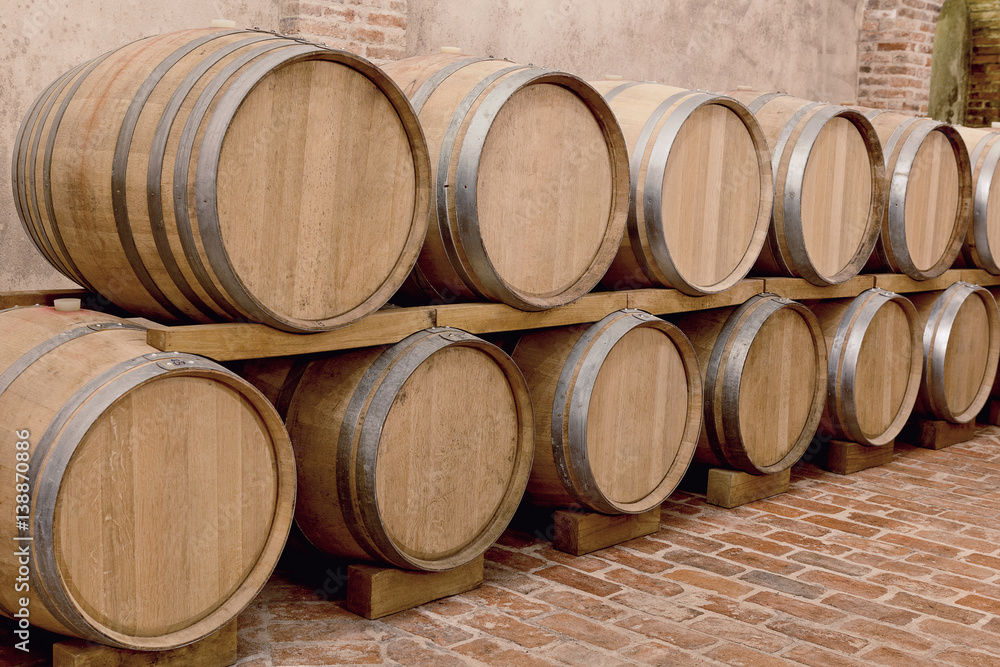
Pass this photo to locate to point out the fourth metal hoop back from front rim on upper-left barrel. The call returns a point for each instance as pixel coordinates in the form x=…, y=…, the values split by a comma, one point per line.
x=119, y=169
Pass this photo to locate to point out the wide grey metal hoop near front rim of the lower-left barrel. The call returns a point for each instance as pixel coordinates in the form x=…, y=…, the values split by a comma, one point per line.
x=53, y=454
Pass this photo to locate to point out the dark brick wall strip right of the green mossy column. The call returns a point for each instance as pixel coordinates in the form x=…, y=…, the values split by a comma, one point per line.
x=984, y=77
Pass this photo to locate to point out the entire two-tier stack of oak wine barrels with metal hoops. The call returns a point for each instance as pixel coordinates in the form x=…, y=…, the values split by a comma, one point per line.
x=195, y=177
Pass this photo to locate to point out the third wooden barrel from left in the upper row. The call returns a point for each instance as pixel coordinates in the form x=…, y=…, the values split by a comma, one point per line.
x=700, y=184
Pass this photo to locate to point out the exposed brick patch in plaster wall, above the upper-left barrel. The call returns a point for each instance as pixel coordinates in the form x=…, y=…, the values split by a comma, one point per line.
x=375, y=29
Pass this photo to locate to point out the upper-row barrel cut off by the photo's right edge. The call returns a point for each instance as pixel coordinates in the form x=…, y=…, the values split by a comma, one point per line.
x=981, y=248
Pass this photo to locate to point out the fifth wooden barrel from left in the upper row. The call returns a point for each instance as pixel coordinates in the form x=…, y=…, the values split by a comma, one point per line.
x=929, y=190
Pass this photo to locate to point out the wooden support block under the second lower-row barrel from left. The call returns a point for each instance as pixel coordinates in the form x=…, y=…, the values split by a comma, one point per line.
x=374, y=592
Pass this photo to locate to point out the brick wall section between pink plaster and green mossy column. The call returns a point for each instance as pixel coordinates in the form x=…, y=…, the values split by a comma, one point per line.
x=894, y=54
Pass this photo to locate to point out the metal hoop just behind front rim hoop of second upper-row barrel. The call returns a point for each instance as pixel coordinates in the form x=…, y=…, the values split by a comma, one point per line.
x=456, y=257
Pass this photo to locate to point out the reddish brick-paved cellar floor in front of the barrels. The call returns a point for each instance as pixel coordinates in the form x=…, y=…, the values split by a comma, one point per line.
x=897, y=565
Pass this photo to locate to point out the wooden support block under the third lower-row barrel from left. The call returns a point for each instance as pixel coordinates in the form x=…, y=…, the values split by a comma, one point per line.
x=580, y=533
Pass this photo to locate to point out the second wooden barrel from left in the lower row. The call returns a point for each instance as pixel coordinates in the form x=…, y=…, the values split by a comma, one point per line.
x=414, y=455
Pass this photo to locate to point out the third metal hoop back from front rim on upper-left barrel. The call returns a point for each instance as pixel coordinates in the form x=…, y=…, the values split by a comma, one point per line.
x=154, y=172
